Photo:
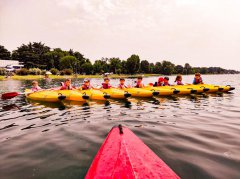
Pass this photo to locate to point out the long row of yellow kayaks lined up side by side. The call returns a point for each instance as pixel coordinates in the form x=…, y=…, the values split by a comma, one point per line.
x=103, y=94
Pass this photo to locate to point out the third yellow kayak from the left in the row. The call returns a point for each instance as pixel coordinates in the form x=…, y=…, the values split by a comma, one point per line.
x=95, y=94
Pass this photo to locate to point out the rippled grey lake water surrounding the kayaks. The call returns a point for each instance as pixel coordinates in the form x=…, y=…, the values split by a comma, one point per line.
x=197, y=136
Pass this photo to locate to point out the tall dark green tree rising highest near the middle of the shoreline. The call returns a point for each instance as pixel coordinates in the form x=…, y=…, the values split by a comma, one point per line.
x=133, y=64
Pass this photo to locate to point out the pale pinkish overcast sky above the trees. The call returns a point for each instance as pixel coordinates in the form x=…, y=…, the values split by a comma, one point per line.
x=200, y=32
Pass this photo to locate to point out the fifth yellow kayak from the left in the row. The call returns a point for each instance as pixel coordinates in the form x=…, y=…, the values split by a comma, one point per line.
x=140, y=92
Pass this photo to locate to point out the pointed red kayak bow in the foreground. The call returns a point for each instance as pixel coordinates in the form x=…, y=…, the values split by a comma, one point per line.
x=124, y=155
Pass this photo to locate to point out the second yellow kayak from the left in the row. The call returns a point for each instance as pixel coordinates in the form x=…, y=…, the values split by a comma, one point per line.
x=73, y=95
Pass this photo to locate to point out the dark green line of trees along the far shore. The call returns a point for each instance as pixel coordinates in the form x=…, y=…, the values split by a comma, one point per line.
x=38, y=55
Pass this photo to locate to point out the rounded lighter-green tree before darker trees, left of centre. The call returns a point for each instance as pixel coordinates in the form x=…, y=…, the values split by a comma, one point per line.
x=69, y=62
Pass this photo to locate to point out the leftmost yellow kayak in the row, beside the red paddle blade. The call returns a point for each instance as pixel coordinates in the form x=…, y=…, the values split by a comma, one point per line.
x=45, y=95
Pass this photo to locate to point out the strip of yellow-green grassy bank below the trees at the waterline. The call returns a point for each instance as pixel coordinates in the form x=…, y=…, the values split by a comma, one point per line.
x=37, y=77
